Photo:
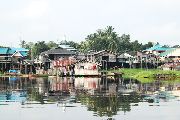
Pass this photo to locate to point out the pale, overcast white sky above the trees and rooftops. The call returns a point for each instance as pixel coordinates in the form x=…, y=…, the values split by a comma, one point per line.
x=73, y=20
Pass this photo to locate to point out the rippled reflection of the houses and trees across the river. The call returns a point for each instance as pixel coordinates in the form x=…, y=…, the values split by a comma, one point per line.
x=104, y=96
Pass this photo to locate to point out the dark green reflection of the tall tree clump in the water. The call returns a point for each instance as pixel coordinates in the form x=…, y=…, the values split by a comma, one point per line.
x=108, y=105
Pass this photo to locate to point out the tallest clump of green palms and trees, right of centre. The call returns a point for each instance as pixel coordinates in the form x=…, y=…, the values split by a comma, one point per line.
x=108, y=39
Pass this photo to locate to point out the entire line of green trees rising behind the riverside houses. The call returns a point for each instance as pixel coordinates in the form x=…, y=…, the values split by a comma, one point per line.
x=102, y=39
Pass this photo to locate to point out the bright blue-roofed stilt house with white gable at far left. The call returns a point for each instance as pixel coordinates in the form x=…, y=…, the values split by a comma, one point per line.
x=11, y=58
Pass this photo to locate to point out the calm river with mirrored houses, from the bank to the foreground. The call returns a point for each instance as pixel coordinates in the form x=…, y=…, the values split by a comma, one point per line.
x=68, y=98
